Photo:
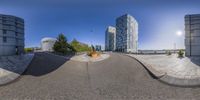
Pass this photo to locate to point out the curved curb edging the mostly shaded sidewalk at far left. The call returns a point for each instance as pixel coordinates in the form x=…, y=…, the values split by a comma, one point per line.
x=9, y=78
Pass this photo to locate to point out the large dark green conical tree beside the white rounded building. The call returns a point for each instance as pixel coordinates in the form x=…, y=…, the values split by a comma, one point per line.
x=61, y=44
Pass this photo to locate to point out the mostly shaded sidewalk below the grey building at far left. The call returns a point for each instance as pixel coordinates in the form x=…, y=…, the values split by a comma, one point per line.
x=11, y=67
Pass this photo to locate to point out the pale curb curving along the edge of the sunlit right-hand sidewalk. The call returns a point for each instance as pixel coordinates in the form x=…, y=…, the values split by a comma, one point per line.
x=167, y=79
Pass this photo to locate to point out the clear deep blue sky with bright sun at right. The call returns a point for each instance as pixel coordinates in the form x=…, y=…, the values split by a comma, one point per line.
x=161, y=22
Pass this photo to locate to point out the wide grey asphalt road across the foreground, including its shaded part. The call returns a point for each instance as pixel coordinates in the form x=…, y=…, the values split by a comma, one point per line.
x=117, y=78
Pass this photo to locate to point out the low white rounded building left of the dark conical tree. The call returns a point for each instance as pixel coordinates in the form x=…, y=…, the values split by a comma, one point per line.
x=47, y=44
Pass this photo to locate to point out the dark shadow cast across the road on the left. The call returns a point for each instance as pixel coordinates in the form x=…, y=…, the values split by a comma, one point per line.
x=44, y=63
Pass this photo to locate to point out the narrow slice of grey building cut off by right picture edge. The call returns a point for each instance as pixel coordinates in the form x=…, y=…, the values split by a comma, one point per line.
x=192, y=35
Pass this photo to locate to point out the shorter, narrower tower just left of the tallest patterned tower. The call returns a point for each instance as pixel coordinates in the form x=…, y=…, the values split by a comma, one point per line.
x=110, y=40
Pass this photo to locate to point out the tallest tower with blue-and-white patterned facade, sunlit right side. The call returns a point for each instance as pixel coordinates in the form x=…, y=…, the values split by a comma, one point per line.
x=126, y=34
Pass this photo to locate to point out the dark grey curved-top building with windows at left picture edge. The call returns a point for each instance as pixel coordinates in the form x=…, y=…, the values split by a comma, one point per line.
x=11, y=35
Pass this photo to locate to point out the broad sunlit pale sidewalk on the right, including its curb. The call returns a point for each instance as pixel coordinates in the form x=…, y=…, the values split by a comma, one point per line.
x=171, y=69
